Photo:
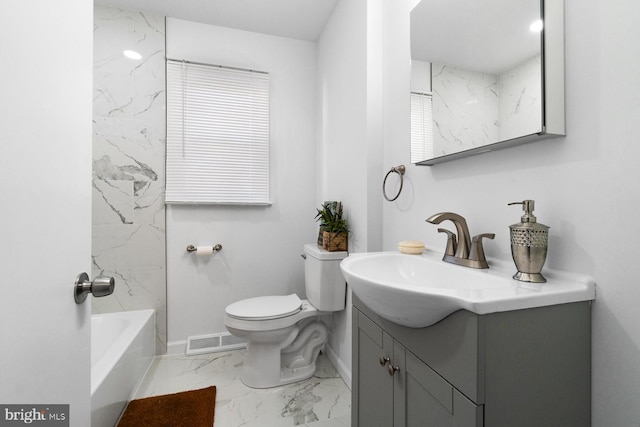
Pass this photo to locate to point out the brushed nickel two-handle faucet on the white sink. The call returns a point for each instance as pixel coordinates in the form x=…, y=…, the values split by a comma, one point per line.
x=461, y=249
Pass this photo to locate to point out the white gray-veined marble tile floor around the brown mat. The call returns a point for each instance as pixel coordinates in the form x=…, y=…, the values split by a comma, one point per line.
x=323, y=400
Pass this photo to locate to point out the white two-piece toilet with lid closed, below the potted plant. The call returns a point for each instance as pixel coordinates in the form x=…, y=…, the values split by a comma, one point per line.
x=284, y=333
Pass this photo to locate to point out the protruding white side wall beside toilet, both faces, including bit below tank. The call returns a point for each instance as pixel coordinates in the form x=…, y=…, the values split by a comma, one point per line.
x=350, y=140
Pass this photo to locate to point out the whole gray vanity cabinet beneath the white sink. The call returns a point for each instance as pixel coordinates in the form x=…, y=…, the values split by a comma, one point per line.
x=528, y=367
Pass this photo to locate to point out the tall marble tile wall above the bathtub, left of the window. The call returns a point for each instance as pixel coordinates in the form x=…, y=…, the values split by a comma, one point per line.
x=128, y=225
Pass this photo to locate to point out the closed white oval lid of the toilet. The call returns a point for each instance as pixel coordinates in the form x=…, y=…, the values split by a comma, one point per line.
x=264, y=308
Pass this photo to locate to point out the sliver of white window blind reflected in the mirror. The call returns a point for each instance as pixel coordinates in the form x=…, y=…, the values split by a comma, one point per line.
x=421, y=127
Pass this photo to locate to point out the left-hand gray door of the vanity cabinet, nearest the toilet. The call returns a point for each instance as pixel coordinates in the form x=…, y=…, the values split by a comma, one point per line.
x=372, y=403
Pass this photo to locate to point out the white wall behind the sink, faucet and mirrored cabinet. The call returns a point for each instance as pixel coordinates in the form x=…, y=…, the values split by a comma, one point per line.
x=586, y=185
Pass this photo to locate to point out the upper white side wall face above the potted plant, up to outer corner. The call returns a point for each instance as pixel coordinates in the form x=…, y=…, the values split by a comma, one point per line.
x=342, y=120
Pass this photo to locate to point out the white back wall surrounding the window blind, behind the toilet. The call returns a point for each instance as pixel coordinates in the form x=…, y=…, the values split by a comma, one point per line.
x=261, y=245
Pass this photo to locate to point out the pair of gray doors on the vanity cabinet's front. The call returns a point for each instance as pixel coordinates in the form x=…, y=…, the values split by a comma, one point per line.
x=395, y=388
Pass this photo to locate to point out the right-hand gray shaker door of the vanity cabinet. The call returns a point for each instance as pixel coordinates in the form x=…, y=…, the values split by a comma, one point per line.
x=430, y=401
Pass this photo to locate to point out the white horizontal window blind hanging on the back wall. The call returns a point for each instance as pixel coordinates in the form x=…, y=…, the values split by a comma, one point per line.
x=217, y=134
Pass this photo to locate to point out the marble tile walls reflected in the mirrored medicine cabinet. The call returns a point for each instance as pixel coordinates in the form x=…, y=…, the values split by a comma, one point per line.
x=472, y=109
